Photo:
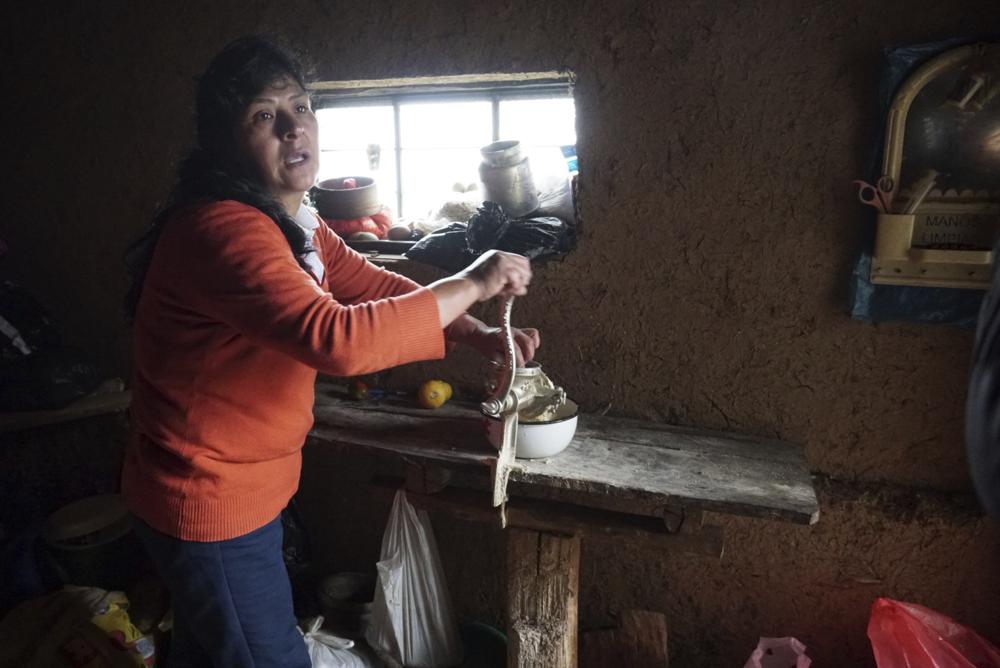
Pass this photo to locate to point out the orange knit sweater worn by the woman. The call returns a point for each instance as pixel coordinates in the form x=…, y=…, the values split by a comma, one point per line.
x=229, y=332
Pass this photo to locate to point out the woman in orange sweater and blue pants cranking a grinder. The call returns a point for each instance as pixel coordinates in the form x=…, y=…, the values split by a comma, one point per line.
x=239, y=295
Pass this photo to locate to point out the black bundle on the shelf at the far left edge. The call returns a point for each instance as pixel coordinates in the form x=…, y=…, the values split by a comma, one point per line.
x=38, y=371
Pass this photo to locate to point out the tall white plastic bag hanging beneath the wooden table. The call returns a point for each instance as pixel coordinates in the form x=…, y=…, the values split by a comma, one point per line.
x=412, y=617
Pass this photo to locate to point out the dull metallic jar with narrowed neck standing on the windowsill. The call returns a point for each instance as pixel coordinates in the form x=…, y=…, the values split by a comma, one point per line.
x=506, y=177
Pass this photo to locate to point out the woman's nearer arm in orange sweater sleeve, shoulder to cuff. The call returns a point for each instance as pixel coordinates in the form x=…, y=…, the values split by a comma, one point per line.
x=229, y=263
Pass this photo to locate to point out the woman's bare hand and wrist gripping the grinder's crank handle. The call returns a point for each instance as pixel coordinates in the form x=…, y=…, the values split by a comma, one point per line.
x=493, y=273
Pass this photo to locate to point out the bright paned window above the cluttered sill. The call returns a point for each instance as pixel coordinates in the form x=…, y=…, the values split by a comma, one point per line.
x=420, y=138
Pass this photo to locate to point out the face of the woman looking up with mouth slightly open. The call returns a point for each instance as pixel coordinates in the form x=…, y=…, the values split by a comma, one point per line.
x=276, y=137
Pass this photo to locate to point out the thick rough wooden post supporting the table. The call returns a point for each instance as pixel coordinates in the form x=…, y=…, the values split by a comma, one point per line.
x=543, y=576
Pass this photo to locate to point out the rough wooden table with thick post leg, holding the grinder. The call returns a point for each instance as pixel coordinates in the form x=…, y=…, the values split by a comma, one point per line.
x=618, y=479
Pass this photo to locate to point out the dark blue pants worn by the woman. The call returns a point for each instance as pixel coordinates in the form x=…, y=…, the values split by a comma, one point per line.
x=232, y=600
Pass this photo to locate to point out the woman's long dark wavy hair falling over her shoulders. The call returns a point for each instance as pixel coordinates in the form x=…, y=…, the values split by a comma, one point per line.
x=212, y=171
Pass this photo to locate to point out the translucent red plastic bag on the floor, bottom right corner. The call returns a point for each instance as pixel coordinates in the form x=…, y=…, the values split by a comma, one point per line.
x=906, y=635
